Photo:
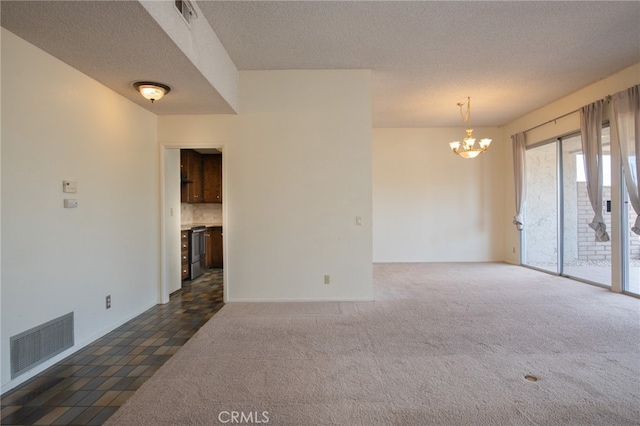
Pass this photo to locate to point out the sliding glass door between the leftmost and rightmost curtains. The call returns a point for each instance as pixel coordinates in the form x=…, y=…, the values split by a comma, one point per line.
x=557, y=236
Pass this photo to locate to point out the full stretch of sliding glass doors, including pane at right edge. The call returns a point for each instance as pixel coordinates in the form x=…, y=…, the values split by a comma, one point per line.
x=557, y=237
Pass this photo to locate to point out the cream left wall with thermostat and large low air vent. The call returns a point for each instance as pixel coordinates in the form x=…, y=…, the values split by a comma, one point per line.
x=59, y=124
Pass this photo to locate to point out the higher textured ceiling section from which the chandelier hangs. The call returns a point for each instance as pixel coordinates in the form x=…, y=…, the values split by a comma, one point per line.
x=510, y=57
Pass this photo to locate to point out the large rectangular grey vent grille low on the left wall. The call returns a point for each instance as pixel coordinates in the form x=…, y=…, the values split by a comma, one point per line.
x=34, y=346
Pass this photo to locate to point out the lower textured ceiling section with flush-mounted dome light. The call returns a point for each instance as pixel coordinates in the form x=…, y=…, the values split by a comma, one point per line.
x=116, y=43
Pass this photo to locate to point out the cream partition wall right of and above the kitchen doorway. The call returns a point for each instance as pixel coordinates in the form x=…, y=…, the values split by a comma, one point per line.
x=297, y=174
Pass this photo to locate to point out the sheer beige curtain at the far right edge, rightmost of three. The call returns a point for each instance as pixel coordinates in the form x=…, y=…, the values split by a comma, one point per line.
x=626, y=107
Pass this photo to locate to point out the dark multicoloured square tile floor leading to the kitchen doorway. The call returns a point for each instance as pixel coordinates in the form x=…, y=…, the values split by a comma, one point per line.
x=89, y=386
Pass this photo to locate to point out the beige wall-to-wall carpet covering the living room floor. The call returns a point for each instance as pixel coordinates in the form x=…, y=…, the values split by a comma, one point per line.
x=443, y=344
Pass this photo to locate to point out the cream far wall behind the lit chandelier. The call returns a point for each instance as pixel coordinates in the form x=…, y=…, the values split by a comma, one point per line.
x=430, y=205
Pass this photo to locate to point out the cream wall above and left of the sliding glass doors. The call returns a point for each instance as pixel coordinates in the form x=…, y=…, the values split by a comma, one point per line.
x=620, y=81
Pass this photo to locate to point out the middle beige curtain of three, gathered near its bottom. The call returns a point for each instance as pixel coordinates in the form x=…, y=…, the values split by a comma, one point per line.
x=591, y=129
